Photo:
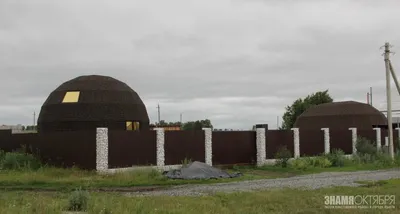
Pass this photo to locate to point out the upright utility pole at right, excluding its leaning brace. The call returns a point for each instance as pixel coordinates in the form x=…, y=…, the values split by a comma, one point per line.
x=389, y=98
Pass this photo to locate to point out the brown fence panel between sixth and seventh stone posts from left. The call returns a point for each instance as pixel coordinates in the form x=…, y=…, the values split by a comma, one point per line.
x=341, y=139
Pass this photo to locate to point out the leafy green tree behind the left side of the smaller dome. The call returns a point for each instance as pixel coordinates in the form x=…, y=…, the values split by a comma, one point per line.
x=301, y=105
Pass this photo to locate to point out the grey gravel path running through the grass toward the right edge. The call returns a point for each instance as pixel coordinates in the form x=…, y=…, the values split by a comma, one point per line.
x=314, y=181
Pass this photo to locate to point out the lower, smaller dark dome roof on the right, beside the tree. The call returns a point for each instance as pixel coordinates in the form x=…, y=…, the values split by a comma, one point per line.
x=340, y=115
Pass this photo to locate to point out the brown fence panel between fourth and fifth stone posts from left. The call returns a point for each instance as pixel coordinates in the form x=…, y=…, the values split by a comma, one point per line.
x=276, y=139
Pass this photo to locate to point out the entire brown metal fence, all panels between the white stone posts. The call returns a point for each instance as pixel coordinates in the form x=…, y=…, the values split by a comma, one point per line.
x=128, y=148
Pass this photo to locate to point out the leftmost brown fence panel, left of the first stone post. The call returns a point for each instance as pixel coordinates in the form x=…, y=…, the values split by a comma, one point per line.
x=63, y=149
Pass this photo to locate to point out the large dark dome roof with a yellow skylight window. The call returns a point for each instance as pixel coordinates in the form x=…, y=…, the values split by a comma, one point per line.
x=102, y=101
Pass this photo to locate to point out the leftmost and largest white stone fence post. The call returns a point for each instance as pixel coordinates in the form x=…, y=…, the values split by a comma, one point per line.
x=102, y=149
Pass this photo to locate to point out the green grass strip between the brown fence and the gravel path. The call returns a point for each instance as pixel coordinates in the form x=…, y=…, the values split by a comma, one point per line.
x=67, y=179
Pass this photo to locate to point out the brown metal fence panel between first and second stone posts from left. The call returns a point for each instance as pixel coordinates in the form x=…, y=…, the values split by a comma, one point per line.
x=131, y=148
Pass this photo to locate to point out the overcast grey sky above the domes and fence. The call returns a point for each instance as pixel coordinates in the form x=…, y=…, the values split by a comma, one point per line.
x=236, y=62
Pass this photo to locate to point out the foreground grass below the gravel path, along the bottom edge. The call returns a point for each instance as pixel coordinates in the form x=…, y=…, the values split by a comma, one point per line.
x=274, y=201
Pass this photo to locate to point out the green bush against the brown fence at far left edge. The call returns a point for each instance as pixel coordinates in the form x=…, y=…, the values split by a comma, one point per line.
x=19, y=161
